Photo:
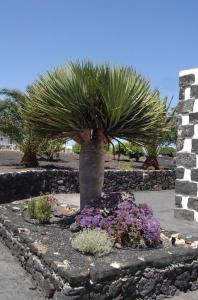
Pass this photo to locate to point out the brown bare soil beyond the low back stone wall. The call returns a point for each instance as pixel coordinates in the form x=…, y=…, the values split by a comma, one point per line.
x=10, y=162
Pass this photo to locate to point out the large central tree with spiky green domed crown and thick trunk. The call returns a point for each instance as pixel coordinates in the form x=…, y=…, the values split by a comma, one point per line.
x=94, y=105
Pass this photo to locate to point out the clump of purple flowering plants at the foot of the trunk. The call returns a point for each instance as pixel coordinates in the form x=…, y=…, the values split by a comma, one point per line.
x=129, y=225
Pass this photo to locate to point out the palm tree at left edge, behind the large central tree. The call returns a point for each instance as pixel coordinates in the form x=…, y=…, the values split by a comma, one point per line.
x=13, y=124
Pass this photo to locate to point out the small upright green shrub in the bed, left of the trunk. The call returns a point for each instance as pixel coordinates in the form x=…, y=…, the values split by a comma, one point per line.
x=40, y=209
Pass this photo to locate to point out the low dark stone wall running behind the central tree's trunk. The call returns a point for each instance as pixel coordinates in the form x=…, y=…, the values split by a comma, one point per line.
x=24, y=184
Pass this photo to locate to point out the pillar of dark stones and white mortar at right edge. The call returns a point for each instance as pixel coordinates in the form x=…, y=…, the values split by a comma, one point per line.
x=186, y=186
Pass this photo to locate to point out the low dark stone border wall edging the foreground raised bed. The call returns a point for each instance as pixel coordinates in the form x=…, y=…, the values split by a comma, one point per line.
x=148, y=275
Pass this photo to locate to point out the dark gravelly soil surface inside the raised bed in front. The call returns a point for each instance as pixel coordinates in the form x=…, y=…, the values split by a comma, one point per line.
x=57, y=240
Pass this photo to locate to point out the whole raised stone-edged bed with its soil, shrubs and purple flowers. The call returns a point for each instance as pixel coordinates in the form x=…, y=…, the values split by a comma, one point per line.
x=113, y=251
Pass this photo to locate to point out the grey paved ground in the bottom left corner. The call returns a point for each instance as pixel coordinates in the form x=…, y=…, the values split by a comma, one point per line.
x=15, y=282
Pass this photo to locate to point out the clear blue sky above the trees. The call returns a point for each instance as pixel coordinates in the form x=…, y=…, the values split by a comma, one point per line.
x=158, y=38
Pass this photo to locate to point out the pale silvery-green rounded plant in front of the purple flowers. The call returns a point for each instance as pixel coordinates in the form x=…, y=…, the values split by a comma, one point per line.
x=92, y=242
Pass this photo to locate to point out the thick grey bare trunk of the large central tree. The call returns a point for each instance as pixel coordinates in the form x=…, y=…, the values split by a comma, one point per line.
x=91, y=171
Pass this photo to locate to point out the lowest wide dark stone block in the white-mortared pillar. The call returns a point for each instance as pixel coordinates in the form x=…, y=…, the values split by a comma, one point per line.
x=185, y=188
